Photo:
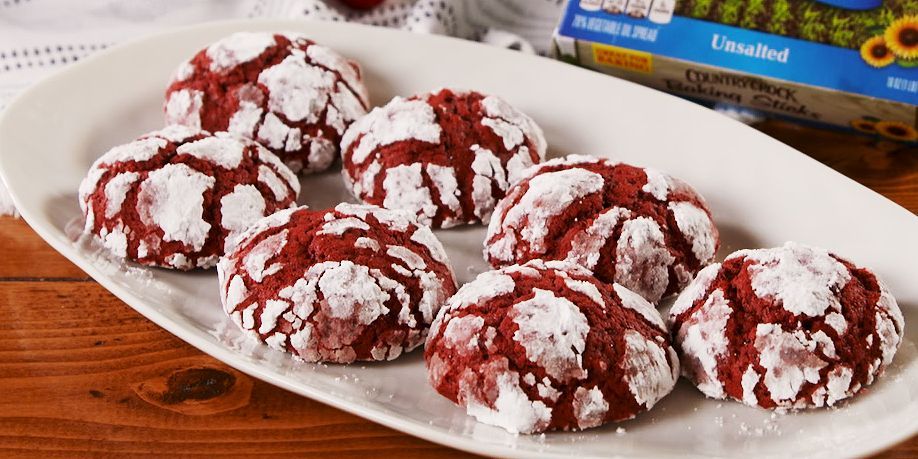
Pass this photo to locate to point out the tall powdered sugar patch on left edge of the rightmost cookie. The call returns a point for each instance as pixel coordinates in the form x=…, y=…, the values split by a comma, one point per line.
x=703, y=339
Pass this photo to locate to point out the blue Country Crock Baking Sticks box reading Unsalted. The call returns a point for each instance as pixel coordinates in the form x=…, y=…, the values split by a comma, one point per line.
x=850, y=63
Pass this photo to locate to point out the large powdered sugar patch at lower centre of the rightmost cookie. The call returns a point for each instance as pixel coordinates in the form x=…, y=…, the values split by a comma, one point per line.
x=787, y=361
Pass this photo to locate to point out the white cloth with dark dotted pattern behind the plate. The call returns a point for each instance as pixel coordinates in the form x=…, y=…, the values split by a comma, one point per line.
x=40, y=36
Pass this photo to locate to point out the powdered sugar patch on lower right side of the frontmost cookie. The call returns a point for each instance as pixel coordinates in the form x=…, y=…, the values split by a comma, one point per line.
x=646, y=369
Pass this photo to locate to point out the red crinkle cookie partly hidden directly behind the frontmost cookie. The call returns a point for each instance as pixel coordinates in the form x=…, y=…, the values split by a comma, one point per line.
x=635, y=226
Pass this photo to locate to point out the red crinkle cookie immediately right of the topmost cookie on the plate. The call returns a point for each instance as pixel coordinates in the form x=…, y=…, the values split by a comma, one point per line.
x=446, y=156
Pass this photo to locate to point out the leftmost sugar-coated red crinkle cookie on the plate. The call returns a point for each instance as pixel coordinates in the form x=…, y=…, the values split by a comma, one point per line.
x=177, y=198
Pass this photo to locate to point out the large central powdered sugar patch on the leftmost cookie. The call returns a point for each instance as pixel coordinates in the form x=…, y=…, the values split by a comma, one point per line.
x=175, y=194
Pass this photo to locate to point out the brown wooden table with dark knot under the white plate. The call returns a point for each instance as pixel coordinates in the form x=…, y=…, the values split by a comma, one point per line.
x=81, y=373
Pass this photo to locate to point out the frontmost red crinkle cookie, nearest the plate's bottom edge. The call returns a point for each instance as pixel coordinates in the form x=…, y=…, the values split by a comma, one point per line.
x=546, y=346
